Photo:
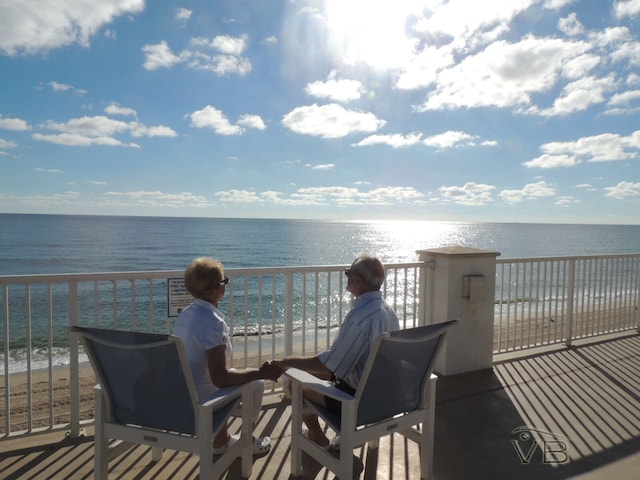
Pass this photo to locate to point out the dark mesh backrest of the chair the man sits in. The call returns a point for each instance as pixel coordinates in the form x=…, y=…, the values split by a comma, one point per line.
x=398, y=368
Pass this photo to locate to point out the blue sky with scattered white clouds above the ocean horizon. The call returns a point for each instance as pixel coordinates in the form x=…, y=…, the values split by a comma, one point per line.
x=504, y=110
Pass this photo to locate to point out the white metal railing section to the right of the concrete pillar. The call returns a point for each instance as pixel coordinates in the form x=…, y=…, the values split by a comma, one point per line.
x=542, y=301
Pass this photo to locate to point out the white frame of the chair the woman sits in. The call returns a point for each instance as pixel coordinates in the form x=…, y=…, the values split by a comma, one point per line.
x=225, y=402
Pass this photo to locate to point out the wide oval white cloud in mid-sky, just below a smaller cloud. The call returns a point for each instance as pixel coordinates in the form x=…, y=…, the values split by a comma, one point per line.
x=330, y=121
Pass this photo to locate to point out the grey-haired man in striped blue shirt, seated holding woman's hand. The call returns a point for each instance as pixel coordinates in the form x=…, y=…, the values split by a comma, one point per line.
x=344, y=362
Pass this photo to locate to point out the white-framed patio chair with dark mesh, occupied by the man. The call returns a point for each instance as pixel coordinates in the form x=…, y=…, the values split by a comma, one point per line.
x=396, y=394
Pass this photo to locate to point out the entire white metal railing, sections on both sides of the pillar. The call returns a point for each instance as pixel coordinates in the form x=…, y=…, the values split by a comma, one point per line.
x=284, y=310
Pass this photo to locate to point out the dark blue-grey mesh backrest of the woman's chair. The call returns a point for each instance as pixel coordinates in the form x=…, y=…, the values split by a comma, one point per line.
x=145, y=377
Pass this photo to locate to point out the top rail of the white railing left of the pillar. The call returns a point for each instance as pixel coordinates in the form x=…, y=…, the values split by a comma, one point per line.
x=162, y=274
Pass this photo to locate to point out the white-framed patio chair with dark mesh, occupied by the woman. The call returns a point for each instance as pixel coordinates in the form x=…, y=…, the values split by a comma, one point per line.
x=146, y=395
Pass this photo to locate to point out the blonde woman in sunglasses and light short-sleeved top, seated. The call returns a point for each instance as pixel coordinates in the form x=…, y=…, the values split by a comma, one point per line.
x=205, y=335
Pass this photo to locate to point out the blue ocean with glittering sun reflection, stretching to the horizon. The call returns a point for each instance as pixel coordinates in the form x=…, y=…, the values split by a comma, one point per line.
x=58, y=244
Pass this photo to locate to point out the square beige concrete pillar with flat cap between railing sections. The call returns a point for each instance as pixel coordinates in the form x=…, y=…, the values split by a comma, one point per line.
x=463, y=286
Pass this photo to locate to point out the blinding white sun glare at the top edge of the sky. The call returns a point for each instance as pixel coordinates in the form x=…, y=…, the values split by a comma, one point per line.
x=373, y=32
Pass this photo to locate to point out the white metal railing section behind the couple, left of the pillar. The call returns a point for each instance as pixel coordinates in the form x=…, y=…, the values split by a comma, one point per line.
x=271, y=312
